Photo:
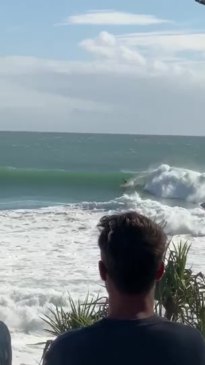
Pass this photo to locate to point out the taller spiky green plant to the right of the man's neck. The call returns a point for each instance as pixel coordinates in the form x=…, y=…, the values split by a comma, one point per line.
x=180, y=295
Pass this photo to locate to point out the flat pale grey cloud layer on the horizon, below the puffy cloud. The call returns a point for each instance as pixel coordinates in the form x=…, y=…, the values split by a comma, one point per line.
x=100, y=96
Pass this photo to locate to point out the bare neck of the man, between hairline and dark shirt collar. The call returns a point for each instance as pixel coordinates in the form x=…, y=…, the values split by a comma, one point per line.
x=131, y=307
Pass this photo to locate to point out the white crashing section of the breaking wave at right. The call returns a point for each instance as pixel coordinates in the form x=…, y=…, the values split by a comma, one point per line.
x=176, y=183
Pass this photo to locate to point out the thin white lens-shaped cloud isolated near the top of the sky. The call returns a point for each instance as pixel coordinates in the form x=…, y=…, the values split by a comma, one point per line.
x=112, y=17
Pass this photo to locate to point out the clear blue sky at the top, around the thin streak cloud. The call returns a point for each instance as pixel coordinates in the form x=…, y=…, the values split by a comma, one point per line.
x=27, y=27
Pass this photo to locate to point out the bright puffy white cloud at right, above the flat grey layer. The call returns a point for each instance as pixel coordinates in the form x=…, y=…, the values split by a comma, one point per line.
x=150, y=53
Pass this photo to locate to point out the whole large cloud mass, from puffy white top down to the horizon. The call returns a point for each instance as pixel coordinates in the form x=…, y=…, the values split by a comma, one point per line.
x=139, y=83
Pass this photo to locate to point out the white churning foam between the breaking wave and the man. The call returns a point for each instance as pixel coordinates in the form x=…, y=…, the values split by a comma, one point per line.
x=46, y=253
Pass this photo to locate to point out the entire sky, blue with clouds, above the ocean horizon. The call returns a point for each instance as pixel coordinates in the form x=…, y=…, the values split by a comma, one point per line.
x=108, y=66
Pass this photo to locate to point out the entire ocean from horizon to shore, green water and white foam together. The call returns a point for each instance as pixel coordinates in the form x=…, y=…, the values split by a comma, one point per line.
x=53, y=190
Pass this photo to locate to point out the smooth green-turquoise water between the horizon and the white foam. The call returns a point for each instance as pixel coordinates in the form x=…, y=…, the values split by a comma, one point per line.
x=40, y=169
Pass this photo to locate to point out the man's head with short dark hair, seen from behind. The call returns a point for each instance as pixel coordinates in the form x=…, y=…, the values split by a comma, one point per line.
x=132, y=250
